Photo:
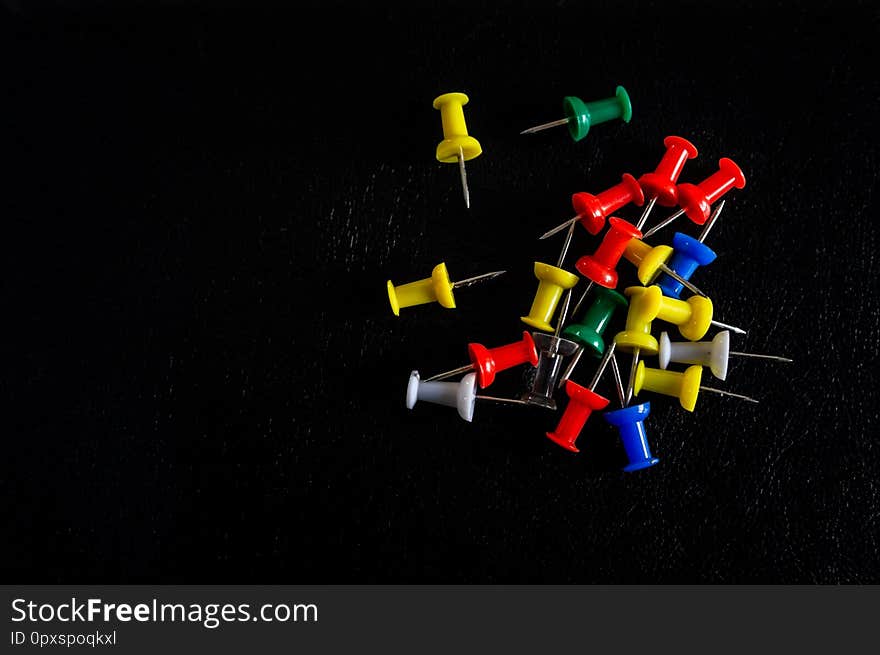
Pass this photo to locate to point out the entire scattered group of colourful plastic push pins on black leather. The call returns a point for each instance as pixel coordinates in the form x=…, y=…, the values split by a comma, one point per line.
x=663, y=271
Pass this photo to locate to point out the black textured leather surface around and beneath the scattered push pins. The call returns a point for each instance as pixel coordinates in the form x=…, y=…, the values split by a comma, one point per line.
x=202, y=378
